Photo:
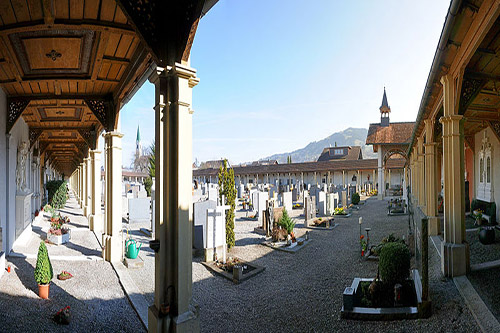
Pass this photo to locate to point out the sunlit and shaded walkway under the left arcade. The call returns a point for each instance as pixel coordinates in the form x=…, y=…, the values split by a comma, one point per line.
x=96, y=298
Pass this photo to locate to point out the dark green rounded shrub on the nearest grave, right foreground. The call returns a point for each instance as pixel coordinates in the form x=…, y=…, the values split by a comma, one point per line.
x=394, y=263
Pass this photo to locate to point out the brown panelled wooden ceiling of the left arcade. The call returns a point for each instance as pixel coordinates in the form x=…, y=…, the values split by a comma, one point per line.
x=65, y=65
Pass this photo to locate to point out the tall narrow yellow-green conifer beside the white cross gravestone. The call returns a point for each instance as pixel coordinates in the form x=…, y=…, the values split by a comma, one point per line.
x=227, y=190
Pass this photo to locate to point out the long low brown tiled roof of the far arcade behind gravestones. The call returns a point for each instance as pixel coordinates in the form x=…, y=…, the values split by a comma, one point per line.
x=336, y=165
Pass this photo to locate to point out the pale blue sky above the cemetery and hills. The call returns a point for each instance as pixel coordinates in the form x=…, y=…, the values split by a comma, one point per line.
x=276, y=75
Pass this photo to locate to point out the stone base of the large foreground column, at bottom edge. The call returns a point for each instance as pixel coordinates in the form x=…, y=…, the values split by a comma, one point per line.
x=186, y=322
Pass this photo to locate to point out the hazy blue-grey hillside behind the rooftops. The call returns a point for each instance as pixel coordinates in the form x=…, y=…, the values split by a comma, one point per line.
x=311, y=152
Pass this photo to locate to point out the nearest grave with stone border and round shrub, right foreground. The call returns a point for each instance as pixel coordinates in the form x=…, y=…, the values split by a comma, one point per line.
x=396, y=292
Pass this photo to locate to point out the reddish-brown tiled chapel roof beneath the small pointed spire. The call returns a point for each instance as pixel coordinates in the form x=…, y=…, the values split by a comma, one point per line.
x=395, y=133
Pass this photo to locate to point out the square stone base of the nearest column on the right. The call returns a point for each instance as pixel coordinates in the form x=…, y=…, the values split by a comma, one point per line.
x=454, y=259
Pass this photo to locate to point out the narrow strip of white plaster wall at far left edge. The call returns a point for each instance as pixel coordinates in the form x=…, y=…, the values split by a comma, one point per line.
x=3, y=175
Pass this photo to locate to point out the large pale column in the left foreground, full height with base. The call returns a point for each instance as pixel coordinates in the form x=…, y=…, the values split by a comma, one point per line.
x=173, y=269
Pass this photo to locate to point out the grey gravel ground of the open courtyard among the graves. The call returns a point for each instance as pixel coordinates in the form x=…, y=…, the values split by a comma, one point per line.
x=302, y=292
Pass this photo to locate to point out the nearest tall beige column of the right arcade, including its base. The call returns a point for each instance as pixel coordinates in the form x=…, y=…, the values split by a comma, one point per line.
x=454, y=248
